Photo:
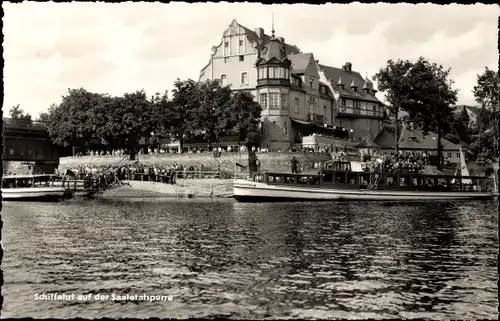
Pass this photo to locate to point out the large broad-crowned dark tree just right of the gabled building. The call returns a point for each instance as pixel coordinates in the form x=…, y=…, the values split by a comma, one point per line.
x=424, y=91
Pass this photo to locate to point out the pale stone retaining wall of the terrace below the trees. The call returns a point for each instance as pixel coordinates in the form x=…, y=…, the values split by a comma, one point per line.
x=277, y=162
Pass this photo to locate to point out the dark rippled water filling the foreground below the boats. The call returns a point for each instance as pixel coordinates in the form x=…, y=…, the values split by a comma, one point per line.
x=236, y=260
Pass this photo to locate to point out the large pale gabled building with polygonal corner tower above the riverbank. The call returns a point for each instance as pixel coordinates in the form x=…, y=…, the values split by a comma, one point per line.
x=298, y=96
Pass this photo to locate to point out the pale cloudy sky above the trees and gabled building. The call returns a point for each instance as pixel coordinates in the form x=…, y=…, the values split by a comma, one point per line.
x=117, y=48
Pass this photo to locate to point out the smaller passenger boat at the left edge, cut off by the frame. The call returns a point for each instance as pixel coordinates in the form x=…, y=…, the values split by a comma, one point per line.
x=33, y=187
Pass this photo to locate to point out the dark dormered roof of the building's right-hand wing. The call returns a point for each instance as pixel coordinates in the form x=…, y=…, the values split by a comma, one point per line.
x=334, y=74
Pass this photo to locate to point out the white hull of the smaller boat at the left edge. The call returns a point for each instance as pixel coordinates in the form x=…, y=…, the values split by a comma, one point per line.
x=33, y=193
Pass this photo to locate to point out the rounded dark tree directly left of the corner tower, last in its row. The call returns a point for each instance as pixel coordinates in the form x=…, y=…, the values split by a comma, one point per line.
x=245, y=117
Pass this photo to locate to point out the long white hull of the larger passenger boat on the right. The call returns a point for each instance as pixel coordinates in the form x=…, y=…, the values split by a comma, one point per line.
x=254, y=191
